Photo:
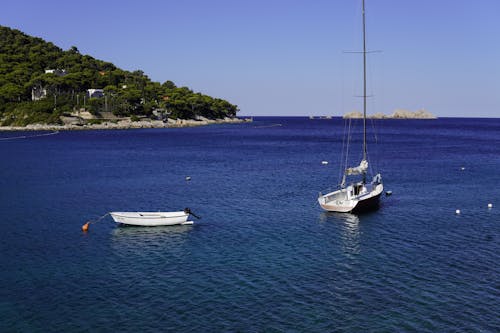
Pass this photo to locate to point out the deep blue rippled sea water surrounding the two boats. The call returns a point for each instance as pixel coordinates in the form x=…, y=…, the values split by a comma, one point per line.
x=264, y=257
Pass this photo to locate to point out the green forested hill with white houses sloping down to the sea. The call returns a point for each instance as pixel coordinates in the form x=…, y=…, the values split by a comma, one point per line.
x=39, y=82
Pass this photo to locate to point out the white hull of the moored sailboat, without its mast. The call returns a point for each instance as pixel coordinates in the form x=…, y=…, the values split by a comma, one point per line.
x=345, y=201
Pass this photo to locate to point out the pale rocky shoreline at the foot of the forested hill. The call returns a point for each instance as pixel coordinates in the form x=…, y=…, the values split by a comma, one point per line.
x=126, y=123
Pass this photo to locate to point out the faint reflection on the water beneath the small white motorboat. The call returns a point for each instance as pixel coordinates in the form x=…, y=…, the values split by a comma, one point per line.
x=137, y=239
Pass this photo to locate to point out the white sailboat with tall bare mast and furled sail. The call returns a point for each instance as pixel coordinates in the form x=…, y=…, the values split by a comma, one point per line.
x=362, y=195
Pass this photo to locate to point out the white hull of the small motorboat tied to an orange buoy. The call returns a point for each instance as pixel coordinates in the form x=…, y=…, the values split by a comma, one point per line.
x=150, y=219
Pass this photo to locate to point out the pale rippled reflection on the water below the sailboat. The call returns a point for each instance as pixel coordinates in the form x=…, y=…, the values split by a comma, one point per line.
x=349, y=233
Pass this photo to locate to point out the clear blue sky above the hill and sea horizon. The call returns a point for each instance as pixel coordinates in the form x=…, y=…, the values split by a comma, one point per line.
x=288, y=58
